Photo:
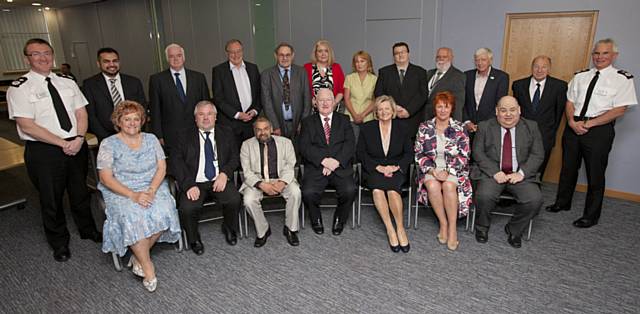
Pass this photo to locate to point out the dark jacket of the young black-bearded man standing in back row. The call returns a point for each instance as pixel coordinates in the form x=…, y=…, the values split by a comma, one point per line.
x=101, y=106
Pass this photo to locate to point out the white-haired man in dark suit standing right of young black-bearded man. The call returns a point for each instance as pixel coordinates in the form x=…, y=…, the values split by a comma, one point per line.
x=173, y=94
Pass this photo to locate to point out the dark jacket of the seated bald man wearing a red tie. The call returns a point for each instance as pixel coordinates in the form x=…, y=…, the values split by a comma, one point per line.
x=314, y=148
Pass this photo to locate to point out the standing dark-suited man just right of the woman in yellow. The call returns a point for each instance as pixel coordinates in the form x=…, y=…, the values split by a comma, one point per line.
x=407, y=84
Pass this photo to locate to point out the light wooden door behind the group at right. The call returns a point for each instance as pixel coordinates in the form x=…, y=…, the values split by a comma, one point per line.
x=566, y=37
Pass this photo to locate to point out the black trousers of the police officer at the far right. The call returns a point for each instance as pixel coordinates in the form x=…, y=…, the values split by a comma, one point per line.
x=592, y=147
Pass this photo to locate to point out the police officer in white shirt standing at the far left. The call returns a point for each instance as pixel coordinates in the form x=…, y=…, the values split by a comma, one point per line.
x=50, y=115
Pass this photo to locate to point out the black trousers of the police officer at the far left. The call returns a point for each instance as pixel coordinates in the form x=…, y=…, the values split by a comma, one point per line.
x=53, y=172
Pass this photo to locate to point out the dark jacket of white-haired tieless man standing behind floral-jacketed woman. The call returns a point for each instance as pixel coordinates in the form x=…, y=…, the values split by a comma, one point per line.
x=497, y=86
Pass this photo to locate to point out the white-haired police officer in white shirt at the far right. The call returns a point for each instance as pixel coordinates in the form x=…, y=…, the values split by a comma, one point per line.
x=595, y=99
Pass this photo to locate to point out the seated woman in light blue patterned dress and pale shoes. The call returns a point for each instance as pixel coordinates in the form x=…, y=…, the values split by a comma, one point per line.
x=139, y=208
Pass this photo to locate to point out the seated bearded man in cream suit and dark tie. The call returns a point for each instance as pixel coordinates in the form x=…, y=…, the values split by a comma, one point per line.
x=268, y=163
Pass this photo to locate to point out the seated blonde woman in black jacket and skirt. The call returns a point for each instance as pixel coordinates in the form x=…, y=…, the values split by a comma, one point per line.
x=385, y=151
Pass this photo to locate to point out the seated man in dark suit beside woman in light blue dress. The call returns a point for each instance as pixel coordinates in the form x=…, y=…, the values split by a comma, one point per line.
x=203, y=165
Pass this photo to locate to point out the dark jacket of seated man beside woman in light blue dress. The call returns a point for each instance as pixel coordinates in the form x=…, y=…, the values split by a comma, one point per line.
x=184, y=163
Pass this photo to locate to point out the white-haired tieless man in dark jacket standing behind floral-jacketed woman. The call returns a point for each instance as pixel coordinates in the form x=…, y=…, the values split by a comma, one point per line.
x=485, y=85
